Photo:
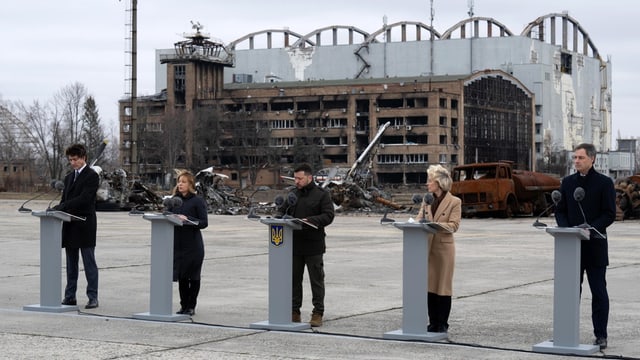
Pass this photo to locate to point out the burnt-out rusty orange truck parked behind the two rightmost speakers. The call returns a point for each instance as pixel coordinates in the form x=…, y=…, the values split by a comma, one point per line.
x=497, y=189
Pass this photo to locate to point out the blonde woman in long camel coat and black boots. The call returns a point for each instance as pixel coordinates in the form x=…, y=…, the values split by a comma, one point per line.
x=445, y=210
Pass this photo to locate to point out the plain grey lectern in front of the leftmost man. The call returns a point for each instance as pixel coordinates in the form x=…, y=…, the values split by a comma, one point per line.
x=50, y=261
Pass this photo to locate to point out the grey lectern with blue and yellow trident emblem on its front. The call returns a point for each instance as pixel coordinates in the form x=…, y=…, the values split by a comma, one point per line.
x=280, y=254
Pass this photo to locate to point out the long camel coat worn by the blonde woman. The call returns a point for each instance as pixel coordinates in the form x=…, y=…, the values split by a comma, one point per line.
x=442, y=249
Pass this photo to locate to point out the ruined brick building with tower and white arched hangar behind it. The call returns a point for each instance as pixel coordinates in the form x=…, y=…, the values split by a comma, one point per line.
x=476, y=92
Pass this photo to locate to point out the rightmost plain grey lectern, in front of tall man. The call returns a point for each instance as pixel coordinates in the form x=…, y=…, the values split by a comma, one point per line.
x=566, y=294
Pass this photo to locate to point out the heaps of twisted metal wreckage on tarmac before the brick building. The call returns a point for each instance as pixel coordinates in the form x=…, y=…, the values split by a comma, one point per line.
x=349, y=188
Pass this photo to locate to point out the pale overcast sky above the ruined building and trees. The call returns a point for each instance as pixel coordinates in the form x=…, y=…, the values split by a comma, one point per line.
x=50, y=44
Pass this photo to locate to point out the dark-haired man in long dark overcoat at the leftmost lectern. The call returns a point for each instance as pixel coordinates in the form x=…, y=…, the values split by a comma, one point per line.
x=79, y=198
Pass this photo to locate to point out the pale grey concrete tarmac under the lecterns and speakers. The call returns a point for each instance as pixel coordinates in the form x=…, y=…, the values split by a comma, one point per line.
x=502, y=303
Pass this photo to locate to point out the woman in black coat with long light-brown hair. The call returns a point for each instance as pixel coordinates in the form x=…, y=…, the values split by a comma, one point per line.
x=188, y=247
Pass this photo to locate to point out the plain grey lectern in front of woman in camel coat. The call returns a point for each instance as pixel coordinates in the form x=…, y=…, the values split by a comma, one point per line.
x=415, y=265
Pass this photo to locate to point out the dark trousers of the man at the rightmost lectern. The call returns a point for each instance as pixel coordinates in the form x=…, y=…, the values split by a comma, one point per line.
x=600, y=298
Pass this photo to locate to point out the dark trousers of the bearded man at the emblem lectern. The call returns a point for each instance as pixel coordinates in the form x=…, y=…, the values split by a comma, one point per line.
x=315, y=268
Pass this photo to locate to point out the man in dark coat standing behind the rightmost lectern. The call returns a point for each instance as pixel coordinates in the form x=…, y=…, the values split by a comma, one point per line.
x=599, y=206
